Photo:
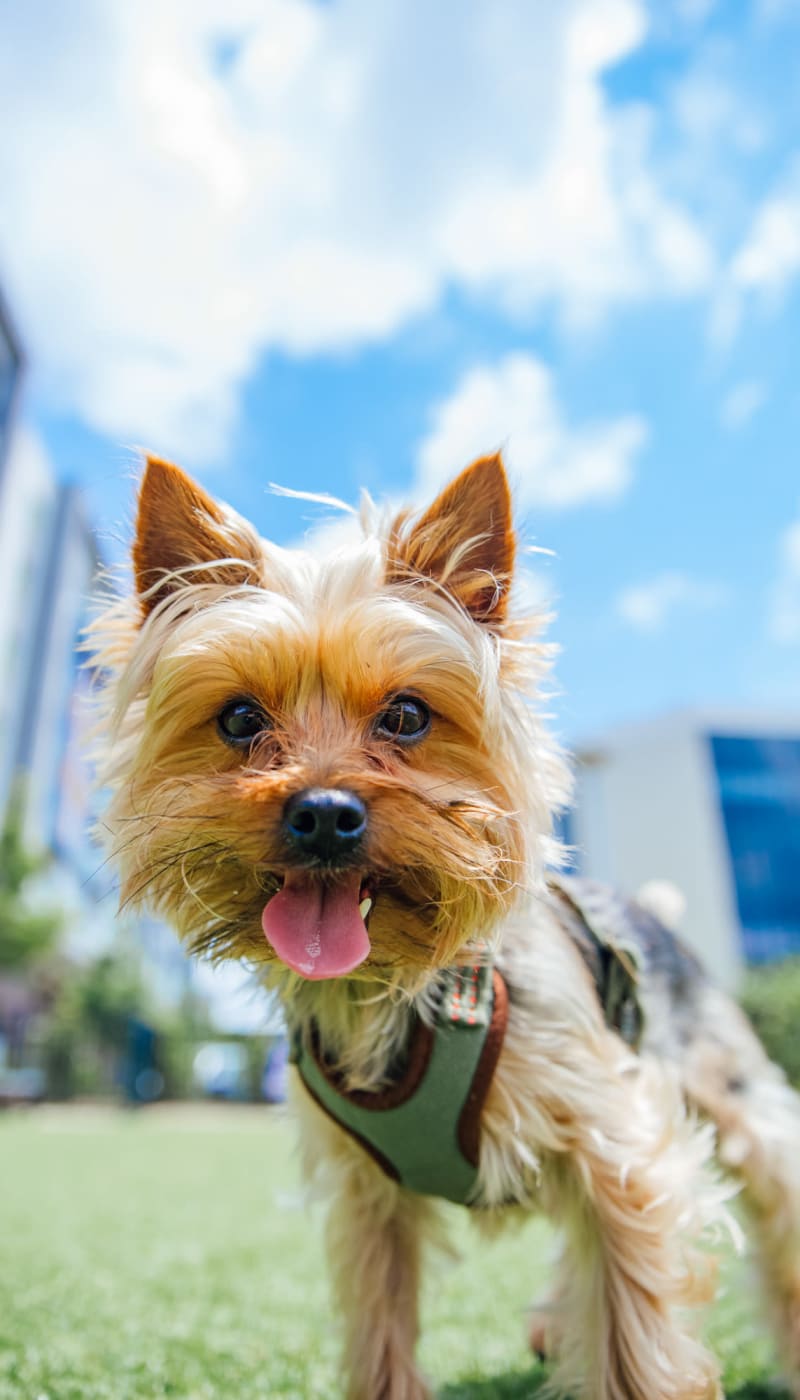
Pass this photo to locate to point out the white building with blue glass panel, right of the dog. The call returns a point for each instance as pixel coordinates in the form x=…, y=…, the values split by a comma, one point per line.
x=711, y=803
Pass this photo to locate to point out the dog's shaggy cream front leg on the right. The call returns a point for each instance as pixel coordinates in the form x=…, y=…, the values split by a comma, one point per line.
x=631, y=1198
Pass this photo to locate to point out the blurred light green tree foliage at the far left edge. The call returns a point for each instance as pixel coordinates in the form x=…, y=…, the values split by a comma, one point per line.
x=26, y=934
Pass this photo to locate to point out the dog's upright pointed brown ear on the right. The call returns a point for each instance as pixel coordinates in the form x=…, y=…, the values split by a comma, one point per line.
x=464, y=541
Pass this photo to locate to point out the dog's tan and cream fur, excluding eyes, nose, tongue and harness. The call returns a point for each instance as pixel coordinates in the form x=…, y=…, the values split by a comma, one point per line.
x=459, y=838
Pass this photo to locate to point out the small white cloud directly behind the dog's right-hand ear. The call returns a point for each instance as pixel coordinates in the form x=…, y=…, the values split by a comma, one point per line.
x=513, y=405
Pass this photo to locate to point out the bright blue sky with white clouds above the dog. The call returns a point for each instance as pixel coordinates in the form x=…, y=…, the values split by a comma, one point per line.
x=341, y=246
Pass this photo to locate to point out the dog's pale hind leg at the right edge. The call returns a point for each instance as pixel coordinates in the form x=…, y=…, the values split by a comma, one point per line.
x=759, y=1123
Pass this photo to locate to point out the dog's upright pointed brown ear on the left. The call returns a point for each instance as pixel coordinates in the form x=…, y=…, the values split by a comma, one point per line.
x=184, y=537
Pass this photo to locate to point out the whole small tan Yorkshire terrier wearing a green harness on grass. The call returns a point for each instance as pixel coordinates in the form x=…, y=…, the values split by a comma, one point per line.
x=334, y=769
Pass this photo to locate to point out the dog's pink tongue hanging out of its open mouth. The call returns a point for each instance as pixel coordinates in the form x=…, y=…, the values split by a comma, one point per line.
x=317, y=929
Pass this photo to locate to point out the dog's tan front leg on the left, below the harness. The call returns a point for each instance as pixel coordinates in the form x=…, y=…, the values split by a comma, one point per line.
x=376, y=1234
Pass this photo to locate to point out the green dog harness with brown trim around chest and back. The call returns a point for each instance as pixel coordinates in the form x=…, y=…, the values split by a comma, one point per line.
x=425, y=1129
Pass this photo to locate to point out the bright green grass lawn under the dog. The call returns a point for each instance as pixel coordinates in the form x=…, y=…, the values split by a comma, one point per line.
x=167, y=1254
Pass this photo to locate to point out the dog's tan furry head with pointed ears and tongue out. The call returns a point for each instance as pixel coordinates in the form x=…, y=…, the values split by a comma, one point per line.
x=326, y=762
